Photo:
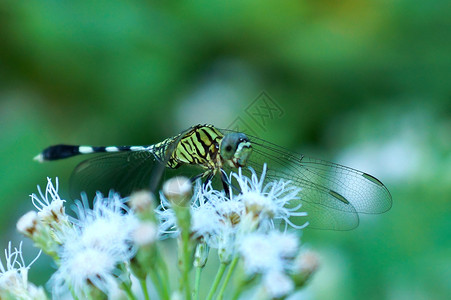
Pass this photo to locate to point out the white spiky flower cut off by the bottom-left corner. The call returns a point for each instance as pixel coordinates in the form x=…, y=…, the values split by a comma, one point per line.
x=14, y=277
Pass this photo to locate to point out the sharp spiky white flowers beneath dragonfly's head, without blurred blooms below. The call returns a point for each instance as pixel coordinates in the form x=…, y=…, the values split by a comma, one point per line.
x=222, y=220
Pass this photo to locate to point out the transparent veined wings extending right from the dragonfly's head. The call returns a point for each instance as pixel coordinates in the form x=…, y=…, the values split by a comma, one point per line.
x=333, y=195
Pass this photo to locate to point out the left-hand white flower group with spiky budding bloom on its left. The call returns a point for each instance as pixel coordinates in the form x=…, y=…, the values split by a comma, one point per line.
x=88, y=248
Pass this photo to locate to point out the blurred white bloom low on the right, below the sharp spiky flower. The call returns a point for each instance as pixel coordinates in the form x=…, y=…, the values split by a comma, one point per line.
x=263, y=253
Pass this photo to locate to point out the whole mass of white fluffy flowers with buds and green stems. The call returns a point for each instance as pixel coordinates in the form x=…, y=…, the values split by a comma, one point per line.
x=101, y=247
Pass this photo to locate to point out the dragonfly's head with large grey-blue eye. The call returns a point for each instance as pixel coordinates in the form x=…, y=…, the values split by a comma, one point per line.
x=235, y=149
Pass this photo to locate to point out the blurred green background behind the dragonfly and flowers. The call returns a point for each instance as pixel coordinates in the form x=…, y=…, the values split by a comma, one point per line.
x=362, y=83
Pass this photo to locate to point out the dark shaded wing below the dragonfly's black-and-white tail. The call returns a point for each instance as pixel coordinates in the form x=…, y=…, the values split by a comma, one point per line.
x=124, y=172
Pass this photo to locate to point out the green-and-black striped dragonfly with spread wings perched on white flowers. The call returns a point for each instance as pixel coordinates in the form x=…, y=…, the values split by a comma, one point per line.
x=334, y=196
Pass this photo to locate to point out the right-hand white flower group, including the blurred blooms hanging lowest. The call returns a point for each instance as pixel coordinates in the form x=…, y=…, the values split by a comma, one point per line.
x=244, y=225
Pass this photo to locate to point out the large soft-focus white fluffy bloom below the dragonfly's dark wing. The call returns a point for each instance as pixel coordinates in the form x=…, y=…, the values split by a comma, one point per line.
x=101, y=238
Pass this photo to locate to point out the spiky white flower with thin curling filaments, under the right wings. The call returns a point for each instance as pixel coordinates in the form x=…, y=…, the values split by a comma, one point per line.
x=269, y=202
